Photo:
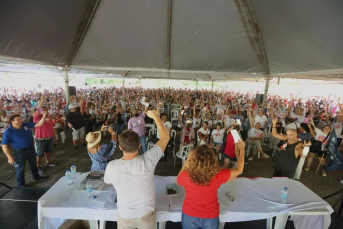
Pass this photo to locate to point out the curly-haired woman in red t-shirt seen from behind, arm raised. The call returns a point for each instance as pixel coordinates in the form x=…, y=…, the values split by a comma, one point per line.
x=201, y=177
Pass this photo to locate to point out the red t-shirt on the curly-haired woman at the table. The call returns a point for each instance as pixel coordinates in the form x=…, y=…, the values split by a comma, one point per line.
x=202, y=201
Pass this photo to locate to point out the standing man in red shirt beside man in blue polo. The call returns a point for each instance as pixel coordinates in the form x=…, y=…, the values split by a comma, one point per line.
x=44, y=138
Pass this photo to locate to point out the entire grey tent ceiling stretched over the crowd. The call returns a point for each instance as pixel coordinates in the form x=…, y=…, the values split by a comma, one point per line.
x=208, y=39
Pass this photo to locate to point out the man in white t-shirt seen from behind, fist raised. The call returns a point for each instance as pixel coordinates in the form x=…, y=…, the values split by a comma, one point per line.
x=133, y=178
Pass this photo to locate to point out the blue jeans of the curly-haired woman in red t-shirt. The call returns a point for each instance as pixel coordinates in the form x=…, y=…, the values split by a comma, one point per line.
x=189, y=222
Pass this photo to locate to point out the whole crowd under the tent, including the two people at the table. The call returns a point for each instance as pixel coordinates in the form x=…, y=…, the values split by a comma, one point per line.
x=205, y=120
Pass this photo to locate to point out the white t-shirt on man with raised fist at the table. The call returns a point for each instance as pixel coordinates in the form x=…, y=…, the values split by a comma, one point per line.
x=134, y=183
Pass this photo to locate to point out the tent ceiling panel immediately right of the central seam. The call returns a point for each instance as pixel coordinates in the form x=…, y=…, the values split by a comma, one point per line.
x=209, y=36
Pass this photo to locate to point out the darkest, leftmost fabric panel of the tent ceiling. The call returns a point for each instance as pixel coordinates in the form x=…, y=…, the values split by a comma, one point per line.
x=42, y=30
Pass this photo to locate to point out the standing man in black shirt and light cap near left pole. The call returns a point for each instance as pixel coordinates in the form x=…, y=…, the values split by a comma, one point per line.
x=76, y=122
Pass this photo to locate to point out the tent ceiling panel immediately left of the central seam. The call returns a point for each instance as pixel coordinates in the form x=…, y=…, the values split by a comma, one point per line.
x=130, y=34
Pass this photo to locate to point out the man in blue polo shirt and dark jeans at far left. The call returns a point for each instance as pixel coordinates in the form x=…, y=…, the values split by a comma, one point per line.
x=20, y=137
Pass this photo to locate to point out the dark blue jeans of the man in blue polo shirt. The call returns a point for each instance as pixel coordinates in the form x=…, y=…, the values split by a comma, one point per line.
x=21, y=156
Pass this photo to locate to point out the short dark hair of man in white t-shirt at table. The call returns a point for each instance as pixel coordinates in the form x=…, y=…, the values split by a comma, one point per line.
x=129, y=141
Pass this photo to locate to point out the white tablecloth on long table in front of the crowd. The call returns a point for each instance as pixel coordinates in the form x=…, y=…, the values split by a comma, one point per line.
x=255, y=199
